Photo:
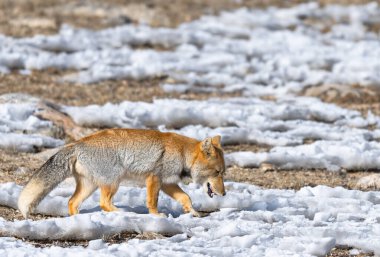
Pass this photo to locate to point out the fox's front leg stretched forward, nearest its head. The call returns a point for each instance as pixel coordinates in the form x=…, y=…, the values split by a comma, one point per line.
x=175, y=192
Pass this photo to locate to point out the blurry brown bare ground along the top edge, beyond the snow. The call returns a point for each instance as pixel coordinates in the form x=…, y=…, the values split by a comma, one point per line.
x=20, y=18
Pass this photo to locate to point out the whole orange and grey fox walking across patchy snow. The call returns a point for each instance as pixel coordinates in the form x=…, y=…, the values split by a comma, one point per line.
x=107, y=157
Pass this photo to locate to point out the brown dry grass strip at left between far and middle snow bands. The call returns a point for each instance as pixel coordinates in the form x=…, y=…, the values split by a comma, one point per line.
x=45, y=85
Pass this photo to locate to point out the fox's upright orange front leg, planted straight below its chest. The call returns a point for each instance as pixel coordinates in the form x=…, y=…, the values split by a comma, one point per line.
x=153, y=186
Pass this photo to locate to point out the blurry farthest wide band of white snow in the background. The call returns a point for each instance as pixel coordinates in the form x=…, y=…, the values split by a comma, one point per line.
x=277, y=51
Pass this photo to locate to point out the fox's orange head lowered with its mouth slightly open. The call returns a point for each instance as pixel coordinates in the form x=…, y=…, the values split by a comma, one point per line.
x=208, y=167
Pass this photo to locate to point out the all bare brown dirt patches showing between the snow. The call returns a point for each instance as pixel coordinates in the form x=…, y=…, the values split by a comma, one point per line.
x=21, y=18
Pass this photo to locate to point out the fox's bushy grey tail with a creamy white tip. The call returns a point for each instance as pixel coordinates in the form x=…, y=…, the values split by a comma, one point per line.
x=52, y=172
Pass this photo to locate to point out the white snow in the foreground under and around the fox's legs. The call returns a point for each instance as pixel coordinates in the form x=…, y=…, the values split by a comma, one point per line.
x=248, y=221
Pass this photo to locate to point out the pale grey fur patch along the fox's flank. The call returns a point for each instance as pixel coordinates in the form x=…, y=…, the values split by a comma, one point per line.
x=109, y=165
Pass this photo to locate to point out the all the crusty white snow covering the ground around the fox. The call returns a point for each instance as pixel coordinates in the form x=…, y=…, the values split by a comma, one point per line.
x=276, y=52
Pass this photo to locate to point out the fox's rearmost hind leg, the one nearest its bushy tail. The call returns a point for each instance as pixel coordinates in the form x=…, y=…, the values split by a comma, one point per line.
x=85, y=187
